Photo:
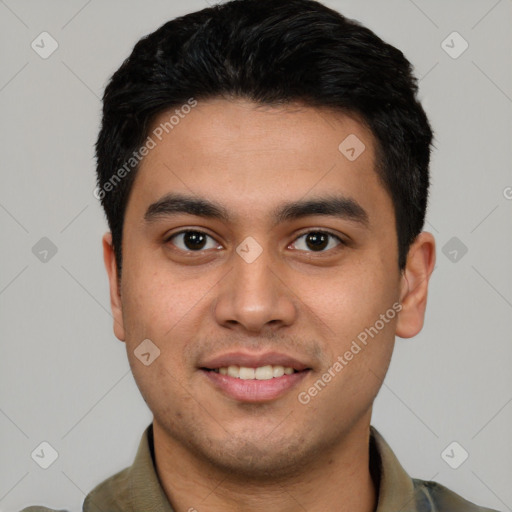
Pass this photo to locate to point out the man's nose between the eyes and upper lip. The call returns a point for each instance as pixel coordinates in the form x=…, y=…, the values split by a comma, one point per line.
x=254, y=295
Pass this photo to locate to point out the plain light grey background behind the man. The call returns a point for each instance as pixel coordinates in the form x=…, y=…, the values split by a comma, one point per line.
x=65, y=377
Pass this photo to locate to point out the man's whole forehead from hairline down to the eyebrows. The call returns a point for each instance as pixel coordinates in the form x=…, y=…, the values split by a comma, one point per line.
x=251, y=157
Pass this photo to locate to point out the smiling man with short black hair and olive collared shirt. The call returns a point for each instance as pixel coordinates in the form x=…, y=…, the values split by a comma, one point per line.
x=263, y=166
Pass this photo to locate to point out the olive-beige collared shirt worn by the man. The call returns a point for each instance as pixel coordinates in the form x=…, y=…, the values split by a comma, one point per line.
x=137, y=488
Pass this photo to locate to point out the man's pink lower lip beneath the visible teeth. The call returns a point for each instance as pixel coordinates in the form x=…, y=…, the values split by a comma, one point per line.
x=253, y=390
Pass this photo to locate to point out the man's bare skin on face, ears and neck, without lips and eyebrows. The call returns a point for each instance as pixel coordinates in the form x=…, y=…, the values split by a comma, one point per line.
x=214, y=452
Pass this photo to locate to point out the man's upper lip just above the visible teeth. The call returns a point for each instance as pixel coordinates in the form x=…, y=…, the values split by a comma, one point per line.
x=249, y=360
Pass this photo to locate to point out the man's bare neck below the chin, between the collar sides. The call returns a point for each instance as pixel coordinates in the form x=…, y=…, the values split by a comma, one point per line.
x=337, y=481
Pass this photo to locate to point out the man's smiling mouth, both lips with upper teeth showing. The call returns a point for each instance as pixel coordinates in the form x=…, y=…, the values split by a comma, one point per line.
x=248, y=378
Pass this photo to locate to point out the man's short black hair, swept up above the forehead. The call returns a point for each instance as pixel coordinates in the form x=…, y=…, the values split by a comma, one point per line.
x=273, y=52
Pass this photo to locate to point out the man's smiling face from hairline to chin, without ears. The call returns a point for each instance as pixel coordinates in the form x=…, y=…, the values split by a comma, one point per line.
x=257, y=289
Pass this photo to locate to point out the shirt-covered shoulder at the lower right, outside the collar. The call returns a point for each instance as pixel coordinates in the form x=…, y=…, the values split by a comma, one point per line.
x=434, y=497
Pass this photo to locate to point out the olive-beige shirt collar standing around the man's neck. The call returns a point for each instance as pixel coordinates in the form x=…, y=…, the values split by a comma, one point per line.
x=396, y=488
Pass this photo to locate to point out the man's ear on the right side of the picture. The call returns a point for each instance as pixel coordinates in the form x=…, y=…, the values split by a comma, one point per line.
x=414, y=285
